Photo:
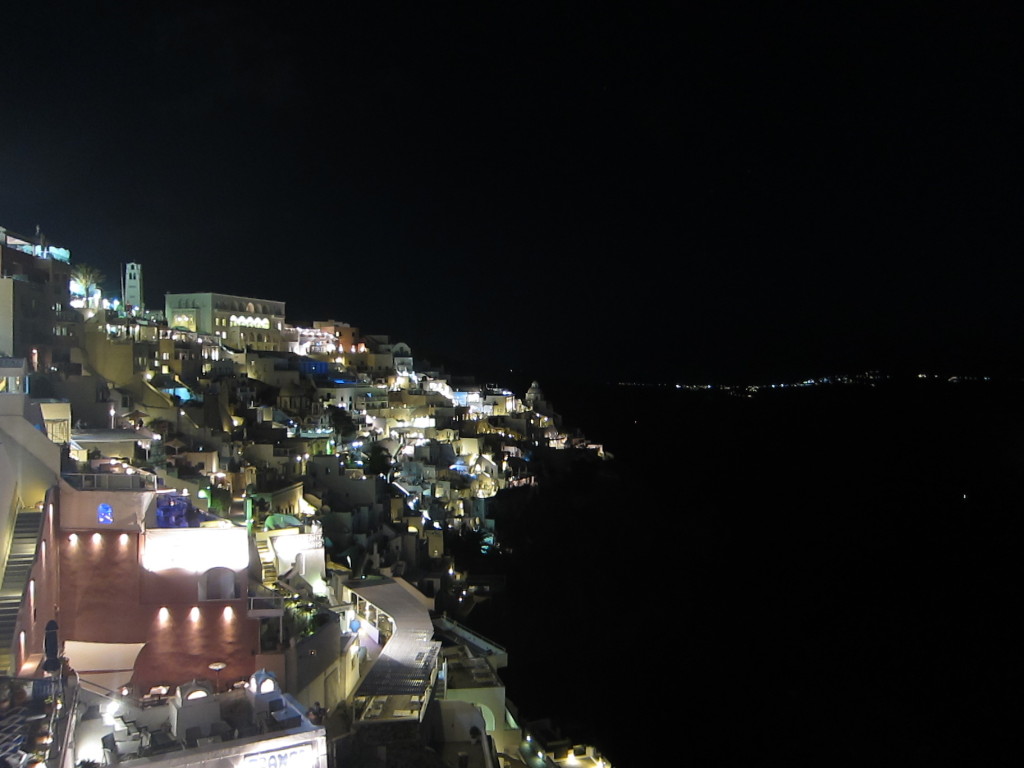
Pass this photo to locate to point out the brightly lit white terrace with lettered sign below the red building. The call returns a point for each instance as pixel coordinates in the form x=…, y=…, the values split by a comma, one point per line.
x=64, y=722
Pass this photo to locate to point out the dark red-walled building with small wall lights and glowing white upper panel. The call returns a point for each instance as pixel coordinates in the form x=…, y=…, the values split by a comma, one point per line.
x=118, y=539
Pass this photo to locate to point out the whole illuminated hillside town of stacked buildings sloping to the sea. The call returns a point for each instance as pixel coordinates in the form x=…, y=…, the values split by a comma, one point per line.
x=230, y=541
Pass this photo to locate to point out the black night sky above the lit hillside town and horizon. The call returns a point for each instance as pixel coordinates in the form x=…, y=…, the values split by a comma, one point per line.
x=720, y=195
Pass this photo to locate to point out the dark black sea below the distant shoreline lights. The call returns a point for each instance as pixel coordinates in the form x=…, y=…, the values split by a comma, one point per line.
x=813, y=576
